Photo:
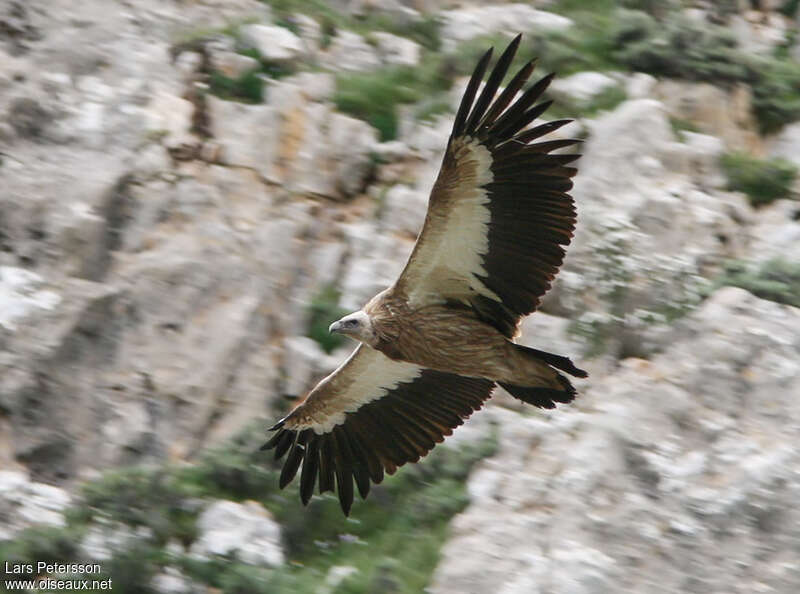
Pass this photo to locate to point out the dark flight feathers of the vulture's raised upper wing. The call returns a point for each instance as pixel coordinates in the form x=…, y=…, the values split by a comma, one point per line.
x=532, y=214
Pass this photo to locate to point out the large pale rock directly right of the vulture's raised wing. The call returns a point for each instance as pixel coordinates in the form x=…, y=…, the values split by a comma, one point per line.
x=657, y=233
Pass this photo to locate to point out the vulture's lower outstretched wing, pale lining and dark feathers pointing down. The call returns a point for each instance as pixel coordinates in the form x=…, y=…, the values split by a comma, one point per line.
x=371, y=414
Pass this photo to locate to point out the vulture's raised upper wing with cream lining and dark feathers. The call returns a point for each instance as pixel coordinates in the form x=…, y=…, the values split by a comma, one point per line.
x=499, y=212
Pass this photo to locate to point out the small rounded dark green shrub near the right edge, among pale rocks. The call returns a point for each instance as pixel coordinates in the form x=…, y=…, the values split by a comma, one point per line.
x=762, y=180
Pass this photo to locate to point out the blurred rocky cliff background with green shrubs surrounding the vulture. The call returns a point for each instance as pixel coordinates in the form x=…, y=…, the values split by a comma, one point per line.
x=191, y=190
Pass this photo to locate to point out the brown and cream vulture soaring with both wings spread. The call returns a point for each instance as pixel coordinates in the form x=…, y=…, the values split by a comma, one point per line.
x=435, y=344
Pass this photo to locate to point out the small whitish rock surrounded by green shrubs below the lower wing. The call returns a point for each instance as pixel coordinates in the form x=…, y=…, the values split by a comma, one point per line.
x=242, y=530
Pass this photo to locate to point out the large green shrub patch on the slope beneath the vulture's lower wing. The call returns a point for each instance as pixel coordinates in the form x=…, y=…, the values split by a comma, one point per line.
x=413, y=506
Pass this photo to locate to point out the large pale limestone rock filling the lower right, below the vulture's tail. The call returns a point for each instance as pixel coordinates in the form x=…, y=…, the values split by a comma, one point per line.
x=670, y=475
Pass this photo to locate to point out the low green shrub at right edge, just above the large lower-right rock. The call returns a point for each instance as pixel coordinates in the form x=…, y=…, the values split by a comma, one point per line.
x=777, y=280
